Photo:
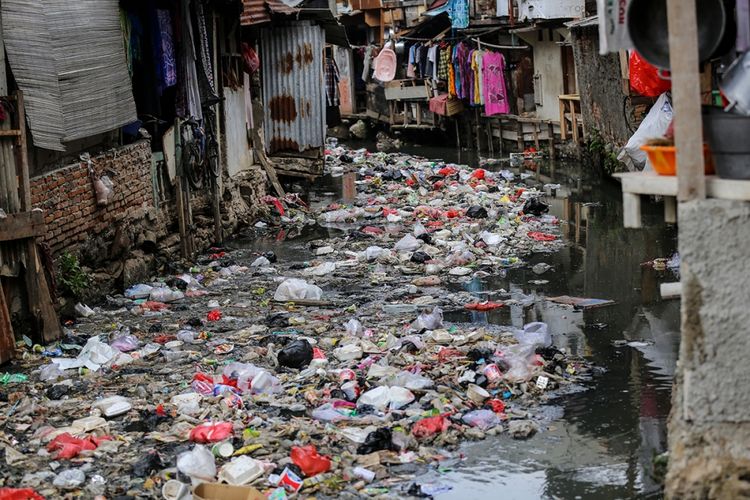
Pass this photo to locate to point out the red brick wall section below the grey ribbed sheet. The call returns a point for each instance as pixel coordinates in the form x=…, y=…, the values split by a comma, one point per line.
x=68, y=199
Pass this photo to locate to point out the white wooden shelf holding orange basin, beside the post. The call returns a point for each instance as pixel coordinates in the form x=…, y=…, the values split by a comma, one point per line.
x=635, y=184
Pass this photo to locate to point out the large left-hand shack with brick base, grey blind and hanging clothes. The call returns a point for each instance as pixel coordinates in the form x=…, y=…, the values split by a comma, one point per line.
x=131, y=112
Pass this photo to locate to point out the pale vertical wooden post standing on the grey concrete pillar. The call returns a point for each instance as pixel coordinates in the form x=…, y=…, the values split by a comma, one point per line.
x=686, y=99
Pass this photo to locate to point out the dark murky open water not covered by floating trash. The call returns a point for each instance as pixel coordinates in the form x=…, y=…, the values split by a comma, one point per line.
x=599, y=442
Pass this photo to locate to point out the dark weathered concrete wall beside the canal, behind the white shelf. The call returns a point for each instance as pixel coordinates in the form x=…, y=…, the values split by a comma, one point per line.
x=600, y=87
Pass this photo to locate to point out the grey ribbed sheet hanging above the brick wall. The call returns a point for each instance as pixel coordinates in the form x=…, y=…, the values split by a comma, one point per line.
x=69, y=59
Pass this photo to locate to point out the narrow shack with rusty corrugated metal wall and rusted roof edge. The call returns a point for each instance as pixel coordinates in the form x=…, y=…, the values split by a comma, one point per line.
x=299, y=82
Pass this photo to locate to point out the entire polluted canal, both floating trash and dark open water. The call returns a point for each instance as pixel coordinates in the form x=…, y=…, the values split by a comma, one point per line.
x=408, y=327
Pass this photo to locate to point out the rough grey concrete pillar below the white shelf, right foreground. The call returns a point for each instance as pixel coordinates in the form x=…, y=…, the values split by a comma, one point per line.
x=709, y=432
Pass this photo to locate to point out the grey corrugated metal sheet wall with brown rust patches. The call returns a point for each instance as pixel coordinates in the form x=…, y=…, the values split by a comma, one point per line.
x=293, y=87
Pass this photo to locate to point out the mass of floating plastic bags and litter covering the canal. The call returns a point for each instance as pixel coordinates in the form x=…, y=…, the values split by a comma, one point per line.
x=332, y=373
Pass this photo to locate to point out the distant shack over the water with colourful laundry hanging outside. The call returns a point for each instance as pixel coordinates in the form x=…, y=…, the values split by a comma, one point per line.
x=539, y=84
